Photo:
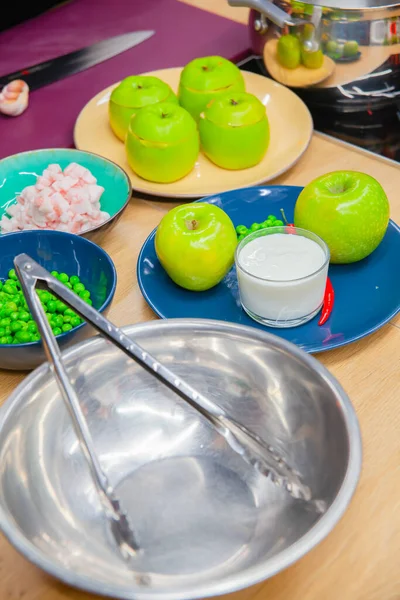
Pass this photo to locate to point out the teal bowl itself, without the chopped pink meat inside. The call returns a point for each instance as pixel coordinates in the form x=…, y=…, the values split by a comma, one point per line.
x=21, y=170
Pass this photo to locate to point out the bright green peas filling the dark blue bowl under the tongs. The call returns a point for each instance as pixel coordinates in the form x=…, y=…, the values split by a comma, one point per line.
x=16, y=323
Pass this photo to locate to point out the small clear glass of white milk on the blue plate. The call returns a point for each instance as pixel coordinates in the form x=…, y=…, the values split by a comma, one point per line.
x=282, y=274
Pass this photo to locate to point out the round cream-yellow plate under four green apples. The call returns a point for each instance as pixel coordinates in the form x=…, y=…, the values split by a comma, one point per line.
x=291, y=129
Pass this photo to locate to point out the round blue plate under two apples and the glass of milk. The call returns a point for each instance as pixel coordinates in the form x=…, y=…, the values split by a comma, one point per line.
x=367, y=294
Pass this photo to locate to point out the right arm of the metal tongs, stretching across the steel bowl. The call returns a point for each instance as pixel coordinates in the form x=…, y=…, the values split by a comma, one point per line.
x=245, y=443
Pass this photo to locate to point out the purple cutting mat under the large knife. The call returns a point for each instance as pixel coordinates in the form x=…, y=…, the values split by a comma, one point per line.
x=182, y=33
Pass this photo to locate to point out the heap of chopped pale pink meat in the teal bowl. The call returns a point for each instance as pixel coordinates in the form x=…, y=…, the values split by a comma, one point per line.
x=66, y=200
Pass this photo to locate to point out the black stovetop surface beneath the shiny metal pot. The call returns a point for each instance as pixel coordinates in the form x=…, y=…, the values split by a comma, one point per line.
x=376, y=130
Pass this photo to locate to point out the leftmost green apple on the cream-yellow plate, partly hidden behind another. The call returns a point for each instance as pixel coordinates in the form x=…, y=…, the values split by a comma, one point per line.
x=131, y=95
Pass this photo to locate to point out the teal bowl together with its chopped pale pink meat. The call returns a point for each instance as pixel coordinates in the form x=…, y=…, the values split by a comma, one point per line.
x=62, y=189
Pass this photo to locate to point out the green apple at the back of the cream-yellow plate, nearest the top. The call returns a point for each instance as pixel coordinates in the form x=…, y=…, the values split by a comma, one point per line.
x=204, y=79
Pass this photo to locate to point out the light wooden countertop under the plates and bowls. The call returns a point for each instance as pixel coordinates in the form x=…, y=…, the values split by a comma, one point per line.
x=359, y=559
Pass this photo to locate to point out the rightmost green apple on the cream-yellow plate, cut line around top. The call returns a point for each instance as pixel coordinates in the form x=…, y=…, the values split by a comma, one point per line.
x=234, y=131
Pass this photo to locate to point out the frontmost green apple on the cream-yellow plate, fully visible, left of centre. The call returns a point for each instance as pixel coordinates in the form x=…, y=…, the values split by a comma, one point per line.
x=162, y=143
